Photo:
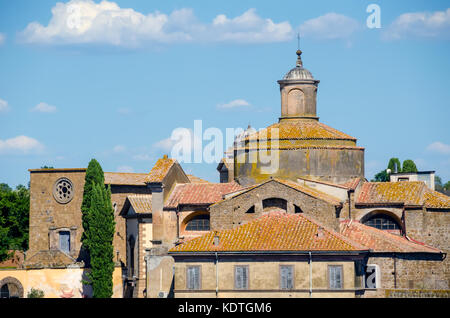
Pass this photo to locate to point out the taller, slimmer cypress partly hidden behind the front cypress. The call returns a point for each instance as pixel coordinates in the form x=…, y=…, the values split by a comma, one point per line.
x=94, y=175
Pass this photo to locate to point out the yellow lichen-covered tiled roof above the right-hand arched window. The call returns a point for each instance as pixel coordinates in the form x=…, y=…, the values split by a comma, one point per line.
x=405, y=192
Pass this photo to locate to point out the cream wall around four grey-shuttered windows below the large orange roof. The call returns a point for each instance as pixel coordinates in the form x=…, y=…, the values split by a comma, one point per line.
x=264, y=277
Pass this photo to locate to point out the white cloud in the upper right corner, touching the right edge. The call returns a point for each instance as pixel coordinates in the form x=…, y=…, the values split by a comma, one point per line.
x=420, y=24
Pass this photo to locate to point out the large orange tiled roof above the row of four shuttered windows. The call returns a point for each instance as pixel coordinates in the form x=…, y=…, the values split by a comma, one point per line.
x=276, y=231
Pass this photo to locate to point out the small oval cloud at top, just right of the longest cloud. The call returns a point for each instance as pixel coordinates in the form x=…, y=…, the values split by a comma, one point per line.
x=330, y=26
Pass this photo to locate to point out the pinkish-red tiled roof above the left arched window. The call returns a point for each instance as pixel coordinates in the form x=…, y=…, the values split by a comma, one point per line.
x=199, y=193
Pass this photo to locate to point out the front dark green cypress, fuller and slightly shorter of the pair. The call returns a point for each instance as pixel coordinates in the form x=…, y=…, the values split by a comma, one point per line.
x=100, y=236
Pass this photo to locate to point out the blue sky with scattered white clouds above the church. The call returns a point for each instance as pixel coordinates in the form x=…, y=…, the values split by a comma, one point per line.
x=114, y=84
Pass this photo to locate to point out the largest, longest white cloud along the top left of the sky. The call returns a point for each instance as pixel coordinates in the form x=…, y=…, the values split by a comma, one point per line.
x=87, y=22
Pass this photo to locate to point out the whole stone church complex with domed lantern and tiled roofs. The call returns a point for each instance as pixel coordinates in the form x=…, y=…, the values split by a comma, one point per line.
x=309, y=226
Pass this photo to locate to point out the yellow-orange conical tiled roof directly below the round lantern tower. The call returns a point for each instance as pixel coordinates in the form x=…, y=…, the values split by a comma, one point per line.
x=300, y=129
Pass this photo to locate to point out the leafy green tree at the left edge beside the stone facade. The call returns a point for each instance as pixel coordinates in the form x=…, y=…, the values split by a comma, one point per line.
x=14, y=216
